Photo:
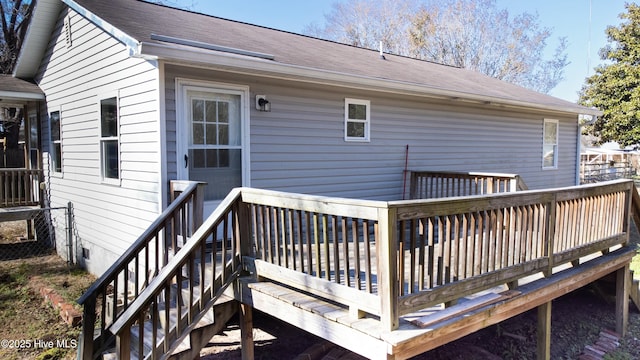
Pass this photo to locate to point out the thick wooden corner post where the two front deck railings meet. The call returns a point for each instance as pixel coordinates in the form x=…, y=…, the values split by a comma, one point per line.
x=387, y=249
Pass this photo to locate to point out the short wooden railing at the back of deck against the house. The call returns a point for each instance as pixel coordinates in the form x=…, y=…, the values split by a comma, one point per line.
x=440, y=184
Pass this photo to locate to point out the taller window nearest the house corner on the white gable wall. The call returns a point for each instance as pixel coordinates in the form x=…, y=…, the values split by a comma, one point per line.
x=109, y=142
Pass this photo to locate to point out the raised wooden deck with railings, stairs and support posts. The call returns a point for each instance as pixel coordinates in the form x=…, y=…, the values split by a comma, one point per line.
x=387, y=280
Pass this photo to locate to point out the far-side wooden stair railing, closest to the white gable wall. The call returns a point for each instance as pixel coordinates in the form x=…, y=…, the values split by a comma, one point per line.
x=123, y=282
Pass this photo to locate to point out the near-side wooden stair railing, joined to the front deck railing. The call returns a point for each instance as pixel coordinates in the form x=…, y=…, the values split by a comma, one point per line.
x=188, y=286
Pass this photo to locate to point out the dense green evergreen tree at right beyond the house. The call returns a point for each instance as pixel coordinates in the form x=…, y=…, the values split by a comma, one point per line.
x=614, y=87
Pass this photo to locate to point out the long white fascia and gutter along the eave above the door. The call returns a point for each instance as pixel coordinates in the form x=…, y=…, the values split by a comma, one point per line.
x=250, y=65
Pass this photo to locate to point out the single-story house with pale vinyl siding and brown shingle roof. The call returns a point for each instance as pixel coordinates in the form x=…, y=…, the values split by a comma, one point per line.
x=141, y=94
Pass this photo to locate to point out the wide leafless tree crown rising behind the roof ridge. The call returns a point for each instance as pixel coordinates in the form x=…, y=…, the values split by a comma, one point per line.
x=472, y=34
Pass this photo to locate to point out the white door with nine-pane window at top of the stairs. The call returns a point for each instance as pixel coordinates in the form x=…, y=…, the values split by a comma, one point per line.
x=212, y=129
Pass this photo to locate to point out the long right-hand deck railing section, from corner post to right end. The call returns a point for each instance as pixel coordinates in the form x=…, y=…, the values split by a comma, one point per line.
x=456, y=247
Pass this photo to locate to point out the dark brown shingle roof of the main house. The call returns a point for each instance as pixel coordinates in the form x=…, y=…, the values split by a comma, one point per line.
x=140, y=20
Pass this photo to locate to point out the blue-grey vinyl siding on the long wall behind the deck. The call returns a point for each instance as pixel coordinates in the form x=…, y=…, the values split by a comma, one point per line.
x=299, y=145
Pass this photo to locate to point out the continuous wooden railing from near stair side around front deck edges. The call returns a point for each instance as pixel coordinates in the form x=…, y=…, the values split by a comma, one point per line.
x=373, y=257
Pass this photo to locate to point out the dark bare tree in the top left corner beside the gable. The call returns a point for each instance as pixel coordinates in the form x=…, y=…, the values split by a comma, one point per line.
x=16, y=15
